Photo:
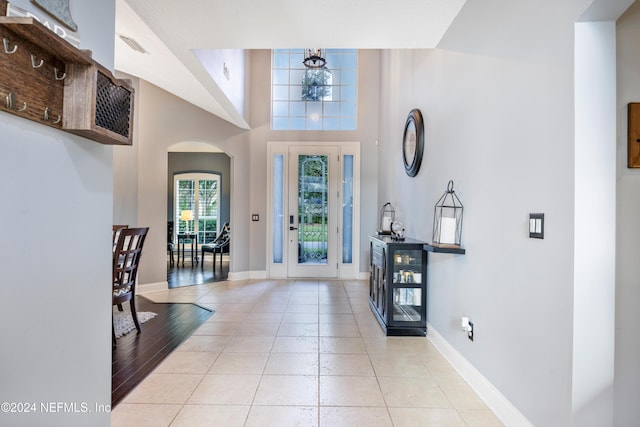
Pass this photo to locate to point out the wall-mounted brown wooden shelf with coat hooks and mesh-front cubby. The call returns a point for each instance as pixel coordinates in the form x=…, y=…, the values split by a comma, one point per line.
x=45, y=79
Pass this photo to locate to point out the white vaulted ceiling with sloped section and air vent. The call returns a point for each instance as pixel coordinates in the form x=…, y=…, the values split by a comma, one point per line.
x=171, y=31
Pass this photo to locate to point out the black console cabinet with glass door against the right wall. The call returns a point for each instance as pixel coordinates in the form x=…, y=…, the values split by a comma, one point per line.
x=398, y=285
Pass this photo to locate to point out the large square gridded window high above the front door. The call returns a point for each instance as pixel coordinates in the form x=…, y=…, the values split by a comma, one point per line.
x=313, y=98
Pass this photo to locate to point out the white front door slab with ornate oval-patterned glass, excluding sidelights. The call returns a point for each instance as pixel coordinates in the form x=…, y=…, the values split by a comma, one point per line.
x=312, y=222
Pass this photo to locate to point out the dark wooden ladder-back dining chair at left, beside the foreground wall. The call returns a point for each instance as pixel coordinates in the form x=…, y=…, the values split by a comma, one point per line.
x=126, y=259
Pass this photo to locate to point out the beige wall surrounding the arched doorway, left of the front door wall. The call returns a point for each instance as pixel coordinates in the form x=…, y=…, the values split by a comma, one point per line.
x=161, y=121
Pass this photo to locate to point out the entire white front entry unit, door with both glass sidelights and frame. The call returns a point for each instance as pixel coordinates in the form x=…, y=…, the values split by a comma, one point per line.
x=313, y=205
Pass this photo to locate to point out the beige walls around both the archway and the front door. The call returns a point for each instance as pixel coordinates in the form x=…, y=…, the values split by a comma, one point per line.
x=163, y=119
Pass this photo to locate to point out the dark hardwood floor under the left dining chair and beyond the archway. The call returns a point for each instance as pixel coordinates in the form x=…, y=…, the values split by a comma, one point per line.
x=137, y=355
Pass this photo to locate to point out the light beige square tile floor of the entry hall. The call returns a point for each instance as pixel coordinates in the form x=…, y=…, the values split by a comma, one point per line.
x=298, y=353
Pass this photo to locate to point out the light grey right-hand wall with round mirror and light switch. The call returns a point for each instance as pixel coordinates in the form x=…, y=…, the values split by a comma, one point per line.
x=500, y=101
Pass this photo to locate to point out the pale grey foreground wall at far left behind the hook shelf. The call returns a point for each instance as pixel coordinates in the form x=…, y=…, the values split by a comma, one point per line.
x=56, y=257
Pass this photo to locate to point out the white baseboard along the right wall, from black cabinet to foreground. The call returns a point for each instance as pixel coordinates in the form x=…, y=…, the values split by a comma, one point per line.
x=496, y=401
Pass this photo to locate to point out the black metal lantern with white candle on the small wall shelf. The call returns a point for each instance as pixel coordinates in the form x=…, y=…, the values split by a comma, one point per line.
x=447, y=219
